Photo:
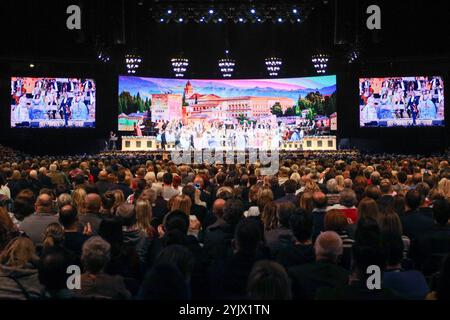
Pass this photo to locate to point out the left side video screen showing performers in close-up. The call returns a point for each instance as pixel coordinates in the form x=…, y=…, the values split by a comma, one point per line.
x=52, y=103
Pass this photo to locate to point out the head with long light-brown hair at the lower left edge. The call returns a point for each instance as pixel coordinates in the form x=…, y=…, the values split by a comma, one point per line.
x=19, y=253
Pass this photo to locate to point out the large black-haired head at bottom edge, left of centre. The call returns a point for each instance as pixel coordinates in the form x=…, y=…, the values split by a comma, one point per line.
x=164, y=282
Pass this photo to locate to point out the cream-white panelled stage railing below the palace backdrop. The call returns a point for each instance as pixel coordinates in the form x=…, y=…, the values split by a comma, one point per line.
x=310, y=143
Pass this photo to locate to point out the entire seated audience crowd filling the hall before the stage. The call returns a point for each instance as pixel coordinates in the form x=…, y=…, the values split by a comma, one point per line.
x=140, y=227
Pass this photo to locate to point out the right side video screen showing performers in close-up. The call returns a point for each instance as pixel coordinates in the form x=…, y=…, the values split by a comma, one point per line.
x=401, y=101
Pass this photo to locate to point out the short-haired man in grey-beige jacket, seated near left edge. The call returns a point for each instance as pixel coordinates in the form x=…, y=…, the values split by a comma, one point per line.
x=34, y=226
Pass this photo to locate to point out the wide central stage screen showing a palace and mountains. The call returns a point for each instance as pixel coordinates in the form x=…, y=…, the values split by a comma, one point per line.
x=250, y=112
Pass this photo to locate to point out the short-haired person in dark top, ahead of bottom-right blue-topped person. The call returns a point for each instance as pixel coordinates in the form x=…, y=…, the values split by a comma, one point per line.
x=414, y=222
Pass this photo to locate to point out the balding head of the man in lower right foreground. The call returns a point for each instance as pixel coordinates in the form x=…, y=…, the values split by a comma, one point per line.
x=328, y=247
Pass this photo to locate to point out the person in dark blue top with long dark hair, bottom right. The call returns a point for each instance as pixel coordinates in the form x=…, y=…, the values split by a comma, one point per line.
x=409, y=284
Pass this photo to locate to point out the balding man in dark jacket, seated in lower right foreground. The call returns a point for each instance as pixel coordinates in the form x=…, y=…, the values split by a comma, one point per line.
x=324, y=272
